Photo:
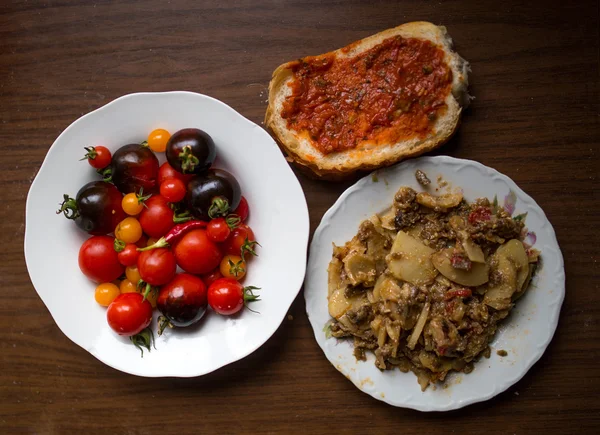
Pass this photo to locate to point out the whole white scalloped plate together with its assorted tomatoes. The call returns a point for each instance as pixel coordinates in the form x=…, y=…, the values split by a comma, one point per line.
x=166, y=234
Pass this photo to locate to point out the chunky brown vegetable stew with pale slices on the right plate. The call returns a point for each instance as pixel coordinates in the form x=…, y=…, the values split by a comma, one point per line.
x=424, y=285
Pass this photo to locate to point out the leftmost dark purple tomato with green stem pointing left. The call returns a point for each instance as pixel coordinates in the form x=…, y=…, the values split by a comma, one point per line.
x=96, y=209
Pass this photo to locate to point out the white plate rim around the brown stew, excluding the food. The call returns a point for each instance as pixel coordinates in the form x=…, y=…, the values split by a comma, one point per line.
x=524, y=335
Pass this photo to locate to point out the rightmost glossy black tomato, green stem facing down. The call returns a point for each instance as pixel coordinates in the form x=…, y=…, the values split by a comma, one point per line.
x=213, y=194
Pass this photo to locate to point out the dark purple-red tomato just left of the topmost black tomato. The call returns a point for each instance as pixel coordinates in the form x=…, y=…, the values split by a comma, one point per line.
x=134, y=167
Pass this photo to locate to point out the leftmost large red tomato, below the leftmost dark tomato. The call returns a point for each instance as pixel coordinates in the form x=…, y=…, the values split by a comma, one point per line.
x=98, y=259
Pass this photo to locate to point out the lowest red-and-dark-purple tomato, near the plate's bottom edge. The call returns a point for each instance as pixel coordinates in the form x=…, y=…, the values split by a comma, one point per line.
x=183, y=301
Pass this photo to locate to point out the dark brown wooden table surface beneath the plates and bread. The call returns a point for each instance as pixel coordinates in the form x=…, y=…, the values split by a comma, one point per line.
x=535, y=118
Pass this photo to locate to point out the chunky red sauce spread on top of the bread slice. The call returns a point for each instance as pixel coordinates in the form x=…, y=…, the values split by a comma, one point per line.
x=393, y=91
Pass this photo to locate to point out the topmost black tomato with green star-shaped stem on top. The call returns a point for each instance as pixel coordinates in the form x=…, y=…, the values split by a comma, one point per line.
x=191, y=151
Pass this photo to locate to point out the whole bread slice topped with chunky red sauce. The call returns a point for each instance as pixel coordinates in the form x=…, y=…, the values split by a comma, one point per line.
x=390, y=96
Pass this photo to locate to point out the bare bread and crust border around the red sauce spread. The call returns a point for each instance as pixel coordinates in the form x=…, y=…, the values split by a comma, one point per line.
x=367, y=155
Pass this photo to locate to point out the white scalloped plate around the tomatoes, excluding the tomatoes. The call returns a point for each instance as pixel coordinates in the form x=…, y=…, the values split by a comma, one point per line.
x=276, y=201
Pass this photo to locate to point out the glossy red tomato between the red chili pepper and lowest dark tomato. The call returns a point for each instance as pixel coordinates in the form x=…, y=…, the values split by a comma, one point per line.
x=196, y=253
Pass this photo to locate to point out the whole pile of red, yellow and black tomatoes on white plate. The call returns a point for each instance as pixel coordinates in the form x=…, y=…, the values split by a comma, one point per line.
x=183, y=213
